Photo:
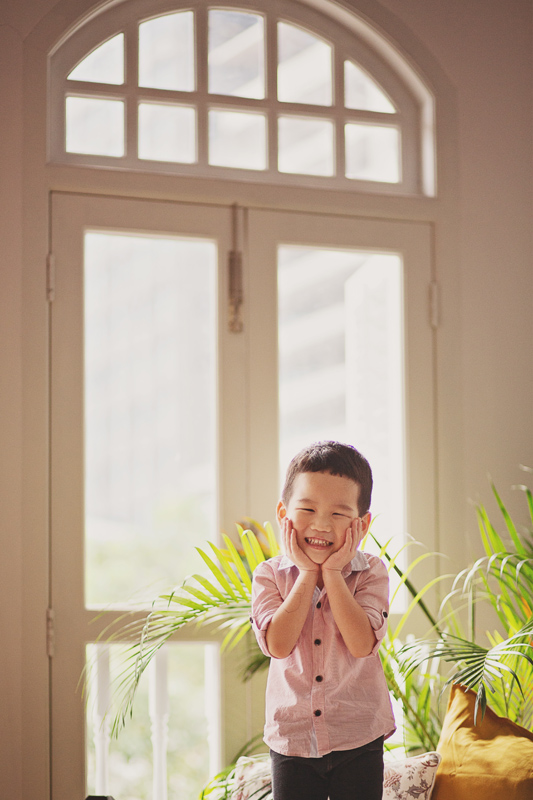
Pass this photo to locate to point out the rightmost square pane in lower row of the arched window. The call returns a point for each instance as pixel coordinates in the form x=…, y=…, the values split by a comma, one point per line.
x=372, y=152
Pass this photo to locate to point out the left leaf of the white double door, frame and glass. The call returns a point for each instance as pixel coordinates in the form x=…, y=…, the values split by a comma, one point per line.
x=130, y=294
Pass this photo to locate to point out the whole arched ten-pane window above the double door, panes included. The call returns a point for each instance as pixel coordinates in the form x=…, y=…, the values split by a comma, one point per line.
x=285, y=96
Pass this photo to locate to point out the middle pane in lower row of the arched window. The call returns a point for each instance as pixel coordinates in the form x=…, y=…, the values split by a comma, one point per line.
x=237, y=139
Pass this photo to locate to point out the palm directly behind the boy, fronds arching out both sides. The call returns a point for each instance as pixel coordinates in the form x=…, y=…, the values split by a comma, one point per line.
x=222, y=601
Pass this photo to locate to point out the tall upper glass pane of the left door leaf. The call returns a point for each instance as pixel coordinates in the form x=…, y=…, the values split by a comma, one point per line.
x=150, y=399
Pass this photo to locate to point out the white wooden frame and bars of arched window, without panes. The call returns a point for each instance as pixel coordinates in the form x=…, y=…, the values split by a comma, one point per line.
x=414, y=102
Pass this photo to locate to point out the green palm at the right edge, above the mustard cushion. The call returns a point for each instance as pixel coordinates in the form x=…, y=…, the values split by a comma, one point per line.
x=503, y=579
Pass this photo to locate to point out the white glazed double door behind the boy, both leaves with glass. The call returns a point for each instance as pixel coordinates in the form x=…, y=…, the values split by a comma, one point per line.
x=167, y=426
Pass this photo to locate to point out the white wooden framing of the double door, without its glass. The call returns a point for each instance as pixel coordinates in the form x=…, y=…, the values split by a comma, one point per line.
x=248, y=457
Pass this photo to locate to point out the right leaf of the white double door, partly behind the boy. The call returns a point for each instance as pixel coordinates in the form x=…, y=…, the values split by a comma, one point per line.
x=362, y=251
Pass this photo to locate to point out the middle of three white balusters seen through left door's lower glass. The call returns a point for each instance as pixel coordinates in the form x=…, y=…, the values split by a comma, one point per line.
x=159, y=713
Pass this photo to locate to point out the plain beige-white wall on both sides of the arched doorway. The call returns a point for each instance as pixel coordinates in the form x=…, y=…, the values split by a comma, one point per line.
x=478, y=53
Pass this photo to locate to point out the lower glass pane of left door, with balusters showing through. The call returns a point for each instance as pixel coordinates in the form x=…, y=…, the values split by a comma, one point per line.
x=125, y=767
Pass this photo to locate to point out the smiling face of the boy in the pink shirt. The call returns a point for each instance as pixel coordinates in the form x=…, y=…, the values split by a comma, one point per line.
x=321, y=508
